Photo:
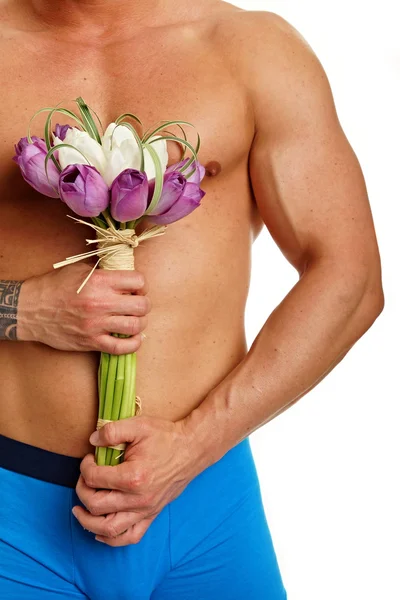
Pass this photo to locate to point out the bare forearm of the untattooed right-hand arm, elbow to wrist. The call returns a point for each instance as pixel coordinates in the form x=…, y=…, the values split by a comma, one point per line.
x=308, y=333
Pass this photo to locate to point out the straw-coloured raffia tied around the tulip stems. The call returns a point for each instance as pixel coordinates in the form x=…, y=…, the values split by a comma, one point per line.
x=115, y=249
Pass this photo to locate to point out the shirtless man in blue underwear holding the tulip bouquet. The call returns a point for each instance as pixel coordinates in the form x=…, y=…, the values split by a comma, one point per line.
x=184, y=509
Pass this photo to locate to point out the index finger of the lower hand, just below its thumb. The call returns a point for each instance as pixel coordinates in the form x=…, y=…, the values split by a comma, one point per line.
x=119, y=477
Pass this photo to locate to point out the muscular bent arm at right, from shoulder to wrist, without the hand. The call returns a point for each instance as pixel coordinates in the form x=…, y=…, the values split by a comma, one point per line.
x=311, y=194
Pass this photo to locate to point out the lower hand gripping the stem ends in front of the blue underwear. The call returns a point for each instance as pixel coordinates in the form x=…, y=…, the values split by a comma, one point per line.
x=159, y=463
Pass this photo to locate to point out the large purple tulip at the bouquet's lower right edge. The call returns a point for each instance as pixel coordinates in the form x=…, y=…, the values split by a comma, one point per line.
x=179, y=198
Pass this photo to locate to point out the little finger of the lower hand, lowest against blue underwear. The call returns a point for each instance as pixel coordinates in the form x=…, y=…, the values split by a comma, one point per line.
x=110, y=525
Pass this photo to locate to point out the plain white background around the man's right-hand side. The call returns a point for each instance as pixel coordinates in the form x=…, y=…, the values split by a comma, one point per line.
x=329, y=465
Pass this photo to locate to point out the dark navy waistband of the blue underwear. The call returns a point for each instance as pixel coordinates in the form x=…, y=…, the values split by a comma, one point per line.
x=39, y=463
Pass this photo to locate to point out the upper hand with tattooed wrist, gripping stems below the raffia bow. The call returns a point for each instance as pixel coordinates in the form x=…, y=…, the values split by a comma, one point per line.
x=50, y=311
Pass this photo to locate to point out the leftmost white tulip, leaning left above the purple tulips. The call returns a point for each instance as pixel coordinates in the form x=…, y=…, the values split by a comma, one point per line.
x=89, y=147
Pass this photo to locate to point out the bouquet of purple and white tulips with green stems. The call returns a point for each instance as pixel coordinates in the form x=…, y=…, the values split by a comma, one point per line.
x=116, y=178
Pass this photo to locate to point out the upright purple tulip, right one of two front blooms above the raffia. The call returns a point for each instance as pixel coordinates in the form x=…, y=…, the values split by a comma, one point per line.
x=129, y=195
